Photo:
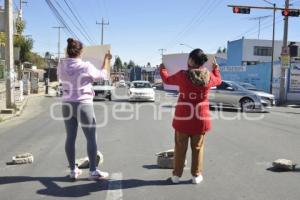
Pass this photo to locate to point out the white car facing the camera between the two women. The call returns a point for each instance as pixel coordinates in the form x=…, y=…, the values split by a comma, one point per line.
x=141, y=91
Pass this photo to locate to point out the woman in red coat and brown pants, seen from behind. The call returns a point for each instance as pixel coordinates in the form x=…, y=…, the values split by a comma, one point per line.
x=192, y=118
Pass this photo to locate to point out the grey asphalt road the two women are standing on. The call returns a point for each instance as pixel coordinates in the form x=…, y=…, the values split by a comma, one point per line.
x=238, y=154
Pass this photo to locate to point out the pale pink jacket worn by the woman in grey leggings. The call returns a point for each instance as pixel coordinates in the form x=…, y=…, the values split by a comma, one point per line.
x=77, y=79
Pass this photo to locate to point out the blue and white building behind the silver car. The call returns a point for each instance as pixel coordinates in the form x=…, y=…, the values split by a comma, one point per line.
x=249, y=60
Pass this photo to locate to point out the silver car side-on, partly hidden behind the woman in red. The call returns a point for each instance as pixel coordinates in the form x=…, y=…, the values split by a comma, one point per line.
x=234, y=95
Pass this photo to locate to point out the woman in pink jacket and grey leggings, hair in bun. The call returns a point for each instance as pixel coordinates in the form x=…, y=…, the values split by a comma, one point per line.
x=77, y=78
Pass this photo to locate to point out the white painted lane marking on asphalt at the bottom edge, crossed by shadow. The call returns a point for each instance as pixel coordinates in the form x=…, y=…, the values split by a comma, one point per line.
x=115, y=187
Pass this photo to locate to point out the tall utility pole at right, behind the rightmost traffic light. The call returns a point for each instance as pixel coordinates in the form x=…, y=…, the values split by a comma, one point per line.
x=282, y=92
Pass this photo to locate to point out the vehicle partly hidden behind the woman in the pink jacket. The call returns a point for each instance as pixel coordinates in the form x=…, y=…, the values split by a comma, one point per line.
x=103, y=90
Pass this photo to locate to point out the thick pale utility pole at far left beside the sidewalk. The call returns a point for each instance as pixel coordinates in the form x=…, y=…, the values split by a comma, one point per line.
x=9, y=54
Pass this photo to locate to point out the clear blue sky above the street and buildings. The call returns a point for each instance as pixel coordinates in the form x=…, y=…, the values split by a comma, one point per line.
x=138, y=29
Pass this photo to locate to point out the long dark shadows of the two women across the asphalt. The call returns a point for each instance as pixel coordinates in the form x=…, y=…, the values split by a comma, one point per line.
x=80, y=190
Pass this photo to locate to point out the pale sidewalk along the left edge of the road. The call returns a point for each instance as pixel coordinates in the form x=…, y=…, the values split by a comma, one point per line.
x=20, y=104
